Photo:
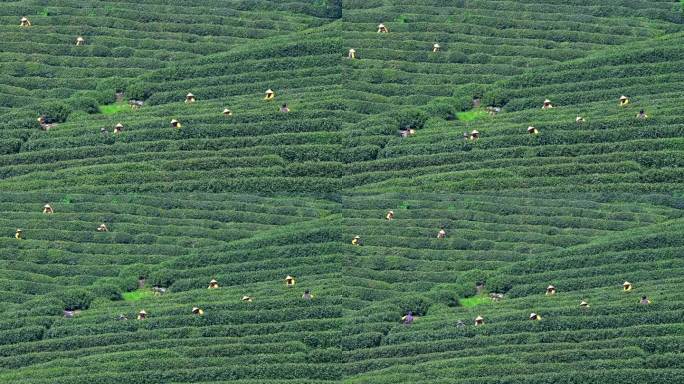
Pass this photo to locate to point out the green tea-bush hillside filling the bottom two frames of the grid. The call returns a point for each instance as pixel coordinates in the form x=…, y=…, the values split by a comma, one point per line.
x=517, y=245
